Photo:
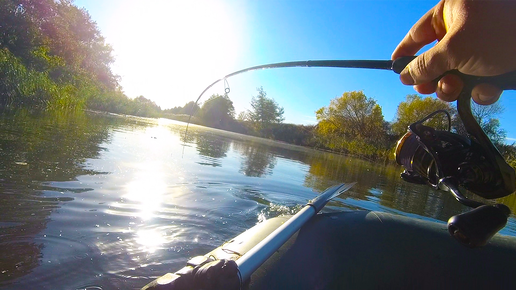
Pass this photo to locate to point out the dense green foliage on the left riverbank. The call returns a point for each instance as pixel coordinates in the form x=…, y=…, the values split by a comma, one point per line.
x=52, y=56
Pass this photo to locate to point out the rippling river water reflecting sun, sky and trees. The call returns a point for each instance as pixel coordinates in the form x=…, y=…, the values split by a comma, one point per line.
x=96, y=200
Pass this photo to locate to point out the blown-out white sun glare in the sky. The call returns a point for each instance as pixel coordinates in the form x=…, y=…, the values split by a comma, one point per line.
x=168, y=51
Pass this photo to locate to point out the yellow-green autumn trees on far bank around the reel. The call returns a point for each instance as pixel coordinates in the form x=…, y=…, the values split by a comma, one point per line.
x=354, y=123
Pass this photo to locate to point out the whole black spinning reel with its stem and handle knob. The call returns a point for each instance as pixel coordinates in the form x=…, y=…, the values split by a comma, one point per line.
x=452, y=162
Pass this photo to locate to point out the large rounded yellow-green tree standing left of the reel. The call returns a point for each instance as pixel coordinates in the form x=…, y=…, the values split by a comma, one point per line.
x=353, y=123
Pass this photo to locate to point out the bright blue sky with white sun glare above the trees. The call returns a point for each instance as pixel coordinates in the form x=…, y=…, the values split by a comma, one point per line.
x=169, y=51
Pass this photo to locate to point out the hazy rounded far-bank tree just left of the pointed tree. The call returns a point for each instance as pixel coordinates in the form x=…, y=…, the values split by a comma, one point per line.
x=217, y=111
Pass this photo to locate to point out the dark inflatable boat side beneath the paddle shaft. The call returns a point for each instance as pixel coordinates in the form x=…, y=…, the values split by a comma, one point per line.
x=374, y=250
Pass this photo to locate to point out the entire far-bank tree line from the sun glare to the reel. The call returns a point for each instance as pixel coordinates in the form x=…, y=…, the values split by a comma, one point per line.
x=351, y=124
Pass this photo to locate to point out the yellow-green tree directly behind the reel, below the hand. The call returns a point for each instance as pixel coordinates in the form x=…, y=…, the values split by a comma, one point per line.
x=416, y=108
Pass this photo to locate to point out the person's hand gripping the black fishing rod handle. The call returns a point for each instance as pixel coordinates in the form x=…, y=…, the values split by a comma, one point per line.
x=474, y=37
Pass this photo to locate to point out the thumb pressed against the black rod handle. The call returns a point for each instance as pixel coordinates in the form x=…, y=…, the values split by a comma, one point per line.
x=427, y=66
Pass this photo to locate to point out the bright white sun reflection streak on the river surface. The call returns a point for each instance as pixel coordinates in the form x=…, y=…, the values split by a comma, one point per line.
x=150, y=178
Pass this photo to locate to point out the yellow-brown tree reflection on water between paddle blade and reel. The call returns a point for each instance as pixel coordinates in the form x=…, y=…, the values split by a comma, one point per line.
x=382, y=183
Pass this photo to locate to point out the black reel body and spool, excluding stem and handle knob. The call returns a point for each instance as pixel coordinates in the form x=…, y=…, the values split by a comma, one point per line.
x=429, y=155
